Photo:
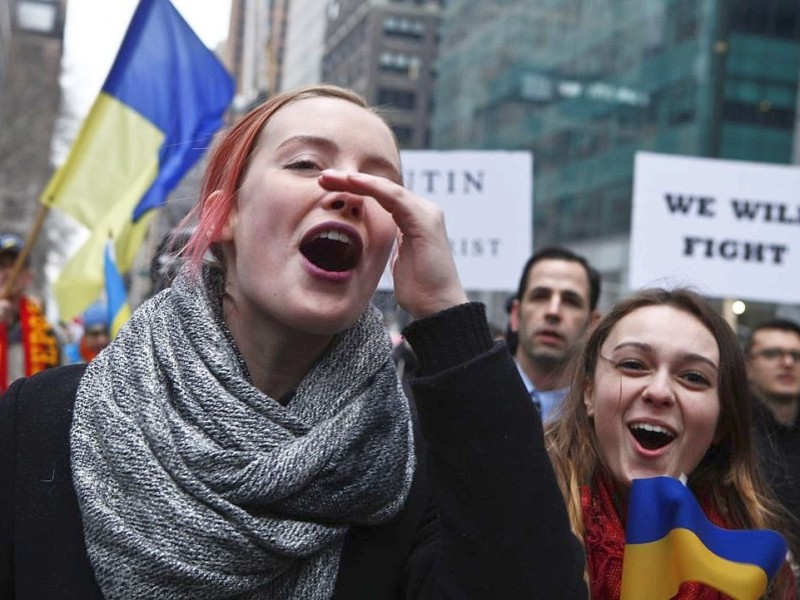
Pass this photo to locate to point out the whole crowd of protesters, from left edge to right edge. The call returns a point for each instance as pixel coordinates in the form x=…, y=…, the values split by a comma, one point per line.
x=247, y=434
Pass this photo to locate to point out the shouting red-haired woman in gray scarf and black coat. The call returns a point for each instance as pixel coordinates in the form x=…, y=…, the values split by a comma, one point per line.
x=246, y=435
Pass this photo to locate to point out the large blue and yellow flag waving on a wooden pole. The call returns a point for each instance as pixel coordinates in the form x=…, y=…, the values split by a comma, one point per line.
x=163, y=100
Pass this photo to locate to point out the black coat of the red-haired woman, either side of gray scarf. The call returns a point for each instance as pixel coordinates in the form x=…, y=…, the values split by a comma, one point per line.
x=484, y=518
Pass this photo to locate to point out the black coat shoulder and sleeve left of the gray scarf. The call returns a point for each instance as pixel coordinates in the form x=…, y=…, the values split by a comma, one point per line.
x=42, y=552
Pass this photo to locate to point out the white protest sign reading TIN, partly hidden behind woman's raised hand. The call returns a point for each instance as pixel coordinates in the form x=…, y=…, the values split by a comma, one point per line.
x=487, y=199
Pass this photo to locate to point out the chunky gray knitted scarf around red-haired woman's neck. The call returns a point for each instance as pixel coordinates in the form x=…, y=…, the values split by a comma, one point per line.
x=192, y=483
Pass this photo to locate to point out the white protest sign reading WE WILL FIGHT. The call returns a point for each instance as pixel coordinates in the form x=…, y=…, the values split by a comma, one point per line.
x=730, y=229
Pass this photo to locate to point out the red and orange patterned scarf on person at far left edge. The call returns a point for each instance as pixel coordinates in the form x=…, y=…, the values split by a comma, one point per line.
x=40, y=344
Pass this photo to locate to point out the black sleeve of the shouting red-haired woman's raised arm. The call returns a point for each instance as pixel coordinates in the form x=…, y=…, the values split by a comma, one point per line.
x=498, y=526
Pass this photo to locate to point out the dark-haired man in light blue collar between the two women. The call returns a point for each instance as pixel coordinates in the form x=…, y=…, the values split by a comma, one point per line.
x=555, y=305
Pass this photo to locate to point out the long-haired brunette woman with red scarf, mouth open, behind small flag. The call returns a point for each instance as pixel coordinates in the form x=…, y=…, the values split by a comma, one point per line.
x=659, y=390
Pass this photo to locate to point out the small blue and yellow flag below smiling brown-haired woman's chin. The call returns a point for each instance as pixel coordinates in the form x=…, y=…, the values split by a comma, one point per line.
x=669, y=541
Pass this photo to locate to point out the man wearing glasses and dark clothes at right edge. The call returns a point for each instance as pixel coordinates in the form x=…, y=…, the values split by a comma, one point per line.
x=772, y=350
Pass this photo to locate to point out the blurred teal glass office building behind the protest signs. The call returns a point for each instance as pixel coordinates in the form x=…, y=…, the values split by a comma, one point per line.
x=584, y=84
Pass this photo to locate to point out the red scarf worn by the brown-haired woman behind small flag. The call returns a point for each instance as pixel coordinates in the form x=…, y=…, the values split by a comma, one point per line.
x=605, y=543
